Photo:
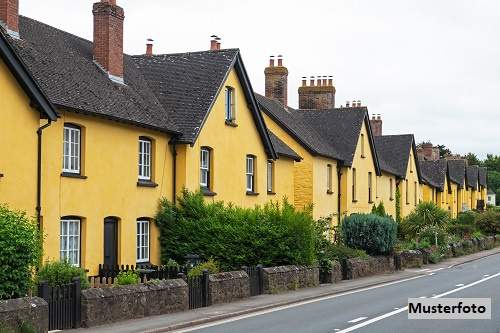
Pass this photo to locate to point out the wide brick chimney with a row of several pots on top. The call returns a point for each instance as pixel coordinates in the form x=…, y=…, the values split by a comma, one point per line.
x=320, y=96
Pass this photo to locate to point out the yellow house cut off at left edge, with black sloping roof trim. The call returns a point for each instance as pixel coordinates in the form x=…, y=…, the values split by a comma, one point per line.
x=22, y=105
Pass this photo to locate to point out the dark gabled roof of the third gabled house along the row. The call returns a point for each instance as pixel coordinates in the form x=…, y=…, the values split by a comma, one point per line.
x=394, y=153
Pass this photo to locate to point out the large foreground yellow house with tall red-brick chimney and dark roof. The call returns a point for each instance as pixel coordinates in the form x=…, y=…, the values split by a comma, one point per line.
x=126, y=137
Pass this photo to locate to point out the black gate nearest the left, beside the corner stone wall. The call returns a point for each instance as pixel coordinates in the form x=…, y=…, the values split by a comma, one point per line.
x=64, y=304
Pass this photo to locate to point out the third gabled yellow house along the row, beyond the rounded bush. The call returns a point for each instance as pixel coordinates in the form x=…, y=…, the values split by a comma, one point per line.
x=398, y=161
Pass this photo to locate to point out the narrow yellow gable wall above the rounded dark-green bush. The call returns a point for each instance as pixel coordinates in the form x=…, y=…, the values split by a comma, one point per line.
x=363, y=165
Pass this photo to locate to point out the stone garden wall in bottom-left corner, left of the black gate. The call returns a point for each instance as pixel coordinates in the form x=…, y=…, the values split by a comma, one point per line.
x=31, y=311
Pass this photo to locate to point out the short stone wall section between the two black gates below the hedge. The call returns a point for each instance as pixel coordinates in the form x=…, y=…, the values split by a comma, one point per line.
x=228, y=287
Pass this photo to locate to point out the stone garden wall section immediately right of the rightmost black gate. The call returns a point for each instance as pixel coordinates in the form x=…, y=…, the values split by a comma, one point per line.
x=283, y=278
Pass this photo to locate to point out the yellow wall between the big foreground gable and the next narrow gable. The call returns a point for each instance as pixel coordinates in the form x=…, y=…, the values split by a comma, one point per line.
x=310, y=177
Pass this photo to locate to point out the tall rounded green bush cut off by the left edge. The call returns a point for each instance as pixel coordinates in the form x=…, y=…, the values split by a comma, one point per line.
x=20, y=252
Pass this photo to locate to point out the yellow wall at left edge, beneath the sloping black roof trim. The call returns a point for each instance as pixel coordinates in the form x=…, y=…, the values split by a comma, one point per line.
x=18, y=145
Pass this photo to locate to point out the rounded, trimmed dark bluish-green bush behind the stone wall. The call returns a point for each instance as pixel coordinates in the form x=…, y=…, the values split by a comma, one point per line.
x=371, y=233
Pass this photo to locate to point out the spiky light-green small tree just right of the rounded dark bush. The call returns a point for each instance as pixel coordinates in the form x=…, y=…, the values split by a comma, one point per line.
x=426, y=215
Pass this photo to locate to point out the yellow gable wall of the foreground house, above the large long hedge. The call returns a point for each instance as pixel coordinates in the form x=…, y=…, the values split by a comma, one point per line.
x=230, y=145
